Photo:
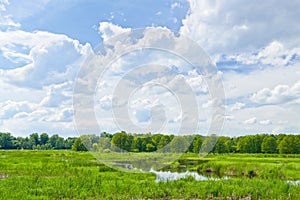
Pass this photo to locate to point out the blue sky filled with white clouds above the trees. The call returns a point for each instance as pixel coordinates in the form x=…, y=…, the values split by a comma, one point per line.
x=253, y=45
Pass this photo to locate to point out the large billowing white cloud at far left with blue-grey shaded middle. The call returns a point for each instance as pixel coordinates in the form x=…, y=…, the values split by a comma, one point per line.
x=52, y=58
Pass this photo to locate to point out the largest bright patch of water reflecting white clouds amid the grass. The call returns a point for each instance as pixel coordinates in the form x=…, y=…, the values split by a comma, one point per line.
x=171, y=176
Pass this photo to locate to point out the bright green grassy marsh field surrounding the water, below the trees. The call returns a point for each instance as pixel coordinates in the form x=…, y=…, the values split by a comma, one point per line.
x=77, y=175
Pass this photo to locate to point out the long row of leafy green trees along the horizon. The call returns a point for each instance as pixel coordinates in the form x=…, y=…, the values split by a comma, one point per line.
x=122, y=141
